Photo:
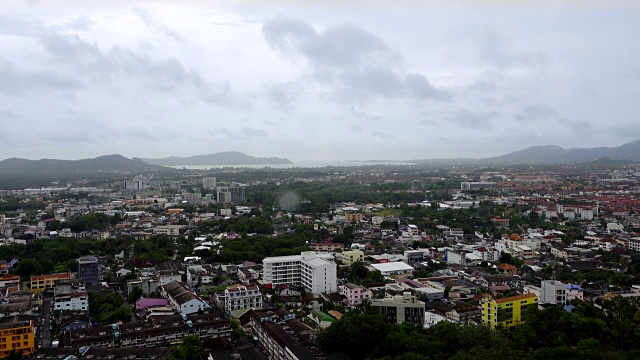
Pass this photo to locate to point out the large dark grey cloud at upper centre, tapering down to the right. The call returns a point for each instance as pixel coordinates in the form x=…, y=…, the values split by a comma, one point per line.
x=356, y=63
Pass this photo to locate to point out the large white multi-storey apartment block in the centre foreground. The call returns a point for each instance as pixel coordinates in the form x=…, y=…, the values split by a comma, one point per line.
x=315, y=272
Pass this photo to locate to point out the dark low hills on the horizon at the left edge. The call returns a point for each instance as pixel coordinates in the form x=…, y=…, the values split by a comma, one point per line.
x=106, y=163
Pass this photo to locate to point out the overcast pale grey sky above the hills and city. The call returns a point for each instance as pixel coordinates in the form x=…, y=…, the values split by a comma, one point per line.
x=315, y=80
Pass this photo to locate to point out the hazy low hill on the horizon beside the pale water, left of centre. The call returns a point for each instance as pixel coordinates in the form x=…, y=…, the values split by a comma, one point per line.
x=222, y=158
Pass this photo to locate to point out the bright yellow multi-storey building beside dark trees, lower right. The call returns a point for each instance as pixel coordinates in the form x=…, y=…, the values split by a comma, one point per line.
x=506, y=312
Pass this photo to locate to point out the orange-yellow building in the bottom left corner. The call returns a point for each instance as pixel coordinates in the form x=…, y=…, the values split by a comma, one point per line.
x=16, y=335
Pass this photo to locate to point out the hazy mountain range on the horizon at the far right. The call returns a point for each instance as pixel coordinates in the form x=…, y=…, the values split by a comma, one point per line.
x=552, y=154
